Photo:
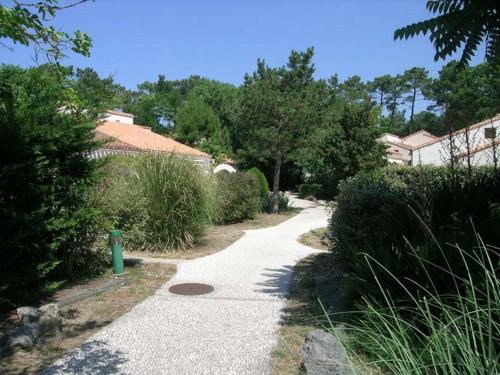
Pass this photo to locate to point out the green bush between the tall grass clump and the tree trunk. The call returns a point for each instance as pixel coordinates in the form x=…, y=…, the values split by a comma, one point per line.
x=238, y=196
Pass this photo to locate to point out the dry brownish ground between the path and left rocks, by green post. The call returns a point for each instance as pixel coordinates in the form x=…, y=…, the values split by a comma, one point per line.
x=82, y=319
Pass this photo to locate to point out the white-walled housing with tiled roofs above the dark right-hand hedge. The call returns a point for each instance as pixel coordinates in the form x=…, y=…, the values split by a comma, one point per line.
x=480, y=143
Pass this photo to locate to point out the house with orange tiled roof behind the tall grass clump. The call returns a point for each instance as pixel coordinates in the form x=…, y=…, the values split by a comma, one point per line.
x=121, y=136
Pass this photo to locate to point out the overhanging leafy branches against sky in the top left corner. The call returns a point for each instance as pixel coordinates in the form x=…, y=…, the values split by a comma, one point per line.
x=27, y=24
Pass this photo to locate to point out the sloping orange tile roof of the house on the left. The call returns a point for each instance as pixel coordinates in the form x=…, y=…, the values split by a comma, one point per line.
x=138, y=138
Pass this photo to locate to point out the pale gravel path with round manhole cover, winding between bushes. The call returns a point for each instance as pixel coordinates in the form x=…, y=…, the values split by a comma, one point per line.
x=229, y=331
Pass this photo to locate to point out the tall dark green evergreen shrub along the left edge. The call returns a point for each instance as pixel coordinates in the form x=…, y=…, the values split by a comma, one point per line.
x=47, y=225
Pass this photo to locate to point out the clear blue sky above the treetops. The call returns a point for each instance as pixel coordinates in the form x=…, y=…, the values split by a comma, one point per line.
x=221, y=39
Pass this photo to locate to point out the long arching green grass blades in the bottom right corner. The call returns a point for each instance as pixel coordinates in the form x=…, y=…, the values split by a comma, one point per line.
x=455, y=333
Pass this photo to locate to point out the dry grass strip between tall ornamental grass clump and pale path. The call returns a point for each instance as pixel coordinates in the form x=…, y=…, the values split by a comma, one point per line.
x=219, y=237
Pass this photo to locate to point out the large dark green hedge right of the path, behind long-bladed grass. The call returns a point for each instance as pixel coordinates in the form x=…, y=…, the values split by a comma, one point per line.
x=379, y=213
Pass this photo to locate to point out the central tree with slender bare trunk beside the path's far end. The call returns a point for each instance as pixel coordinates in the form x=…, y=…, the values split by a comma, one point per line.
x=278, y=107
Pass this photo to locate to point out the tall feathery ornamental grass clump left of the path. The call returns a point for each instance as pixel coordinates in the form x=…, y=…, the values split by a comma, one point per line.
x=178, y=201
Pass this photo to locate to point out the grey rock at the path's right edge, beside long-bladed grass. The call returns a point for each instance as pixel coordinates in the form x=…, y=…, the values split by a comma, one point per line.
x=323, y=355
